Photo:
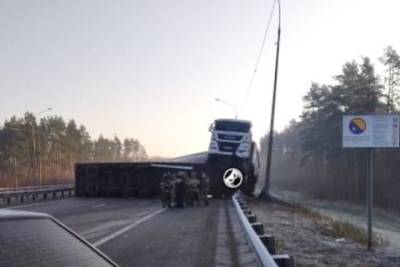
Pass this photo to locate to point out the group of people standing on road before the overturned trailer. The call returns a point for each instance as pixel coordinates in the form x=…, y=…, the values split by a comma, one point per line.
x=180, y=189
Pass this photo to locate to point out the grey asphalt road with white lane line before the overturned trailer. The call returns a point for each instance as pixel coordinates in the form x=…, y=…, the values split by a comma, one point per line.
x=138, y=232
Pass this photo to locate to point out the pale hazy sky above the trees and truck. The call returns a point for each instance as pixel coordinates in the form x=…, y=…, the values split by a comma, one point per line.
x=151, y=69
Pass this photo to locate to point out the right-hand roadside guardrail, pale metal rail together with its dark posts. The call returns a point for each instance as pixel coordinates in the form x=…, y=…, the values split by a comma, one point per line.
x=263, y=245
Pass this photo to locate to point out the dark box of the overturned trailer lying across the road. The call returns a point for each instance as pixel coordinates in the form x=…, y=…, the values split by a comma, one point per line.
x=124, y=179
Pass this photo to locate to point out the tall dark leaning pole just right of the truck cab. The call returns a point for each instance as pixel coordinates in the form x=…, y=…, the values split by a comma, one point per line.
x=271, y=127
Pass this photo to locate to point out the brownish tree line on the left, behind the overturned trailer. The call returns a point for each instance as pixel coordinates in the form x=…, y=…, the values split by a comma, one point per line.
x=36, y=152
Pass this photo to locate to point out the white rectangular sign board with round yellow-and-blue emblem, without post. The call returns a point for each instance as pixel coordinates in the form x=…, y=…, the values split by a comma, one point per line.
x=371, y=131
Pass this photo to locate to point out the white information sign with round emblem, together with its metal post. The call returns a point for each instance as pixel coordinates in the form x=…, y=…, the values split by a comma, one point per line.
x=370, y=131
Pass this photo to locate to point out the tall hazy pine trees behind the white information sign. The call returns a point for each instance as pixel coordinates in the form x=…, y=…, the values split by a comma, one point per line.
x=308, y=155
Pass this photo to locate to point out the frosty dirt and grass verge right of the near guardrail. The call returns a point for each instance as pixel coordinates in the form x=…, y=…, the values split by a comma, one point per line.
x=312, y=242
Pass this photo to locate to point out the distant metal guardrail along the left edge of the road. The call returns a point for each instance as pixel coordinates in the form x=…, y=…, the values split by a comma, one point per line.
x=20, y=195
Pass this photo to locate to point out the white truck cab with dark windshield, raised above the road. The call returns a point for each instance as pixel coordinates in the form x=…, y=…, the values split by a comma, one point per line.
x=230, y=137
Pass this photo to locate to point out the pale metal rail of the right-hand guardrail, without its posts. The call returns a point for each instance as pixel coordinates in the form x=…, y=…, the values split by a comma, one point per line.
x=262, y=253
